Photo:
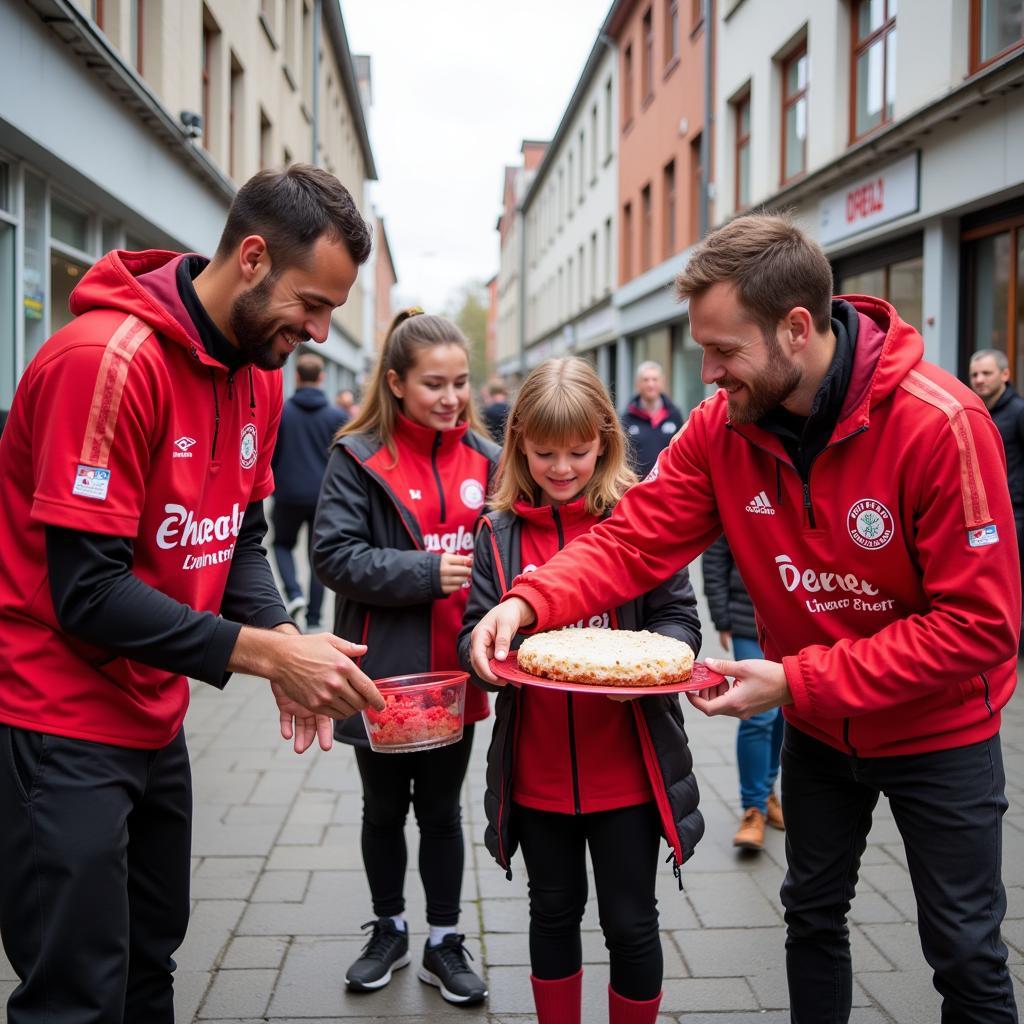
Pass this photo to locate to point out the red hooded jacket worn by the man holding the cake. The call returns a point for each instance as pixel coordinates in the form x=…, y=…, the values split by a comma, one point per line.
x=888, y=586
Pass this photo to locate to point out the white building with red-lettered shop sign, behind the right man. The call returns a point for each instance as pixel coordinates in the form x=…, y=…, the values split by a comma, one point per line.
x=895, y=135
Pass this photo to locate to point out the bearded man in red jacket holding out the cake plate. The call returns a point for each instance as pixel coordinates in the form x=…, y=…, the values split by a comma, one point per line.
x=864, y=494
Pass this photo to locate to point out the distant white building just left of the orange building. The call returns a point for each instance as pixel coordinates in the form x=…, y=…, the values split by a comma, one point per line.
x=572, y=242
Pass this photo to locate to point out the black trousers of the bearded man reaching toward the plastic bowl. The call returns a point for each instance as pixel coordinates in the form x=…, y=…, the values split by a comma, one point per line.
x=95, y=866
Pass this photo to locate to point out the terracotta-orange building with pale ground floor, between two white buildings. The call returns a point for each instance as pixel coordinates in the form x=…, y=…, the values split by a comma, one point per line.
x=663, y=163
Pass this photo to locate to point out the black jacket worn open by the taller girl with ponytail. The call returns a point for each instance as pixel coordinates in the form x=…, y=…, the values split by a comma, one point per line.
x=368, y=548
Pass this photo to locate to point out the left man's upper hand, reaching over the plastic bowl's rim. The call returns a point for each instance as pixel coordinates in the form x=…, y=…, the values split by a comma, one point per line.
x=315, y=671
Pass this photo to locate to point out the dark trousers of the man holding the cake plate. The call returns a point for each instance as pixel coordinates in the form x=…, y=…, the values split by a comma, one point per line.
x=949, y=807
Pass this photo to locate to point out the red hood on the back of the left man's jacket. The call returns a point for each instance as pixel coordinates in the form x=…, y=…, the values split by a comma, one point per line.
x=143, y=285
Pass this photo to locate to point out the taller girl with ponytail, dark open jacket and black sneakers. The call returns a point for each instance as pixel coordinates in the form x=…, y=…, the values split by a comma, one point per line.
x=394, y=539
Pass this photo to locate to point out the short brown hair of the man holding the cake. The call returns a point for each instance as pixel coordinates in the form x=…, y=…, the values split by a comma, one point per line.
x=774, y=266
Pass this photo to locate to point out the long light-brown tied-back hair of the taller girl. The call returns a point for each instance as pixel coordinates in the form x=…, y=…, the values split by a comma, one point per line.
x=411, y=331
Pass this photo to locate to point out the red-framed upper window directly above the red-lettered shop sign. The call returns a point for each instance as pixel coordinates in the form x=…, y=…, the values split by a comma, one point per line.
x=874, y=66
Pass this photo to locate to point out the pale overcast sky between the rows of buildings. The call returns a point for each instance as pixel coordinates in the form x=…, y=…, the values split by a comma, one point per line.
x=457, y=86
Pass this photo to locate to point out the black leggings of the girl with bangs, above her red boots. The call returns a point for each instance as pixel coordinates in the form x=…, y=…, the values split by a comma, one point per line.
x=624, y=848
